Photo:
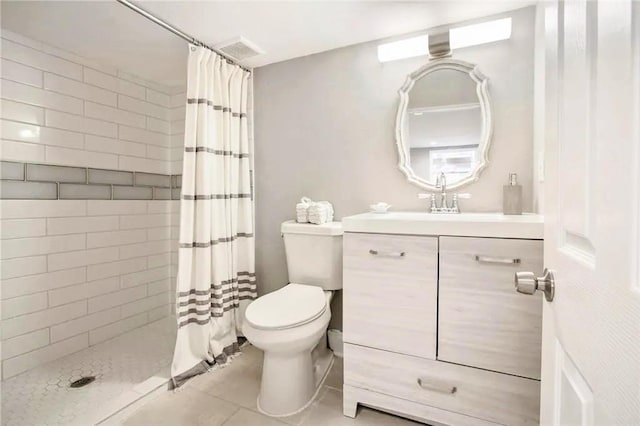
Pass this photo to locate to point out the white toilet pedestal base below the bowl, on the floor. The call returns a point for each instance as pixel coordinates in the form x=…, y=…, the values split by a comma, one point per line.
x=282, y=396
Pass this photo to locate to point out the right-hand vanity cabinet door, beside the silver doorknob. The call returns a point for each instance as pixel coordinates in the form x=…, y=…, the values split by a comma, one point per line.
x=483, y=321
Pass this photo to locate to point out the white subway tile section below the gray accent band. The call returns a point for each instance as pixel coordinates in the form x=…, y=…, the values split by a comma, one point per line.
x=81, y=271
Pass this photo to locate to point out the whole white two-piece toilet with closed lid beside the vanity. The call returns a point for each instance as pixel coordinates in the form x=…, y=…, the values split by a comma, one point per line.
x=290, y=324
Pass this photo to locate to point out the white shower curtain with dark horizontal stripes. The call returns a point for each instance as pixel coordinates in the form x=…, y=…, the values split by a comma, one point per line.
x=216, y=266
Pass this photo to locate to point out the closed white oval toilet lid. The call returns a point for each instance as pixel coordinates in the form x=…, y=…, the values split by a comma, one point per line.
x=292, y=305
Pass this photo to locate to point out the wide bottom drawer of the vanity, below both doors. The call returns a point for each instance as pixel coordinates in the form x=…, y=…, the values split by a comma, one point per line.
x=495, y=397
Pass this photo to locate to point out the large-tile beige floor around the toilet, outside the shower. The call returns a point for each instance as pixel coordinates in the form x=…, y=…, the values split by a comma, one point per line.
x=227, y=396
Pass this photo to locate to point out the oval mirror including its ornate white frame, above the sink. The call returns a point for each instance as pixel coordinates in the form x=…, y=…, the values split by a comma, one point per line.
x=444, y=124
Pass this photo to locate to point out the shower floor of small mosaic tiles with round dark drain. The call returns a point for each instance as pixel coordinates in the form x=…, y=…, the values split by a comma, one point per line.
x=126, y=368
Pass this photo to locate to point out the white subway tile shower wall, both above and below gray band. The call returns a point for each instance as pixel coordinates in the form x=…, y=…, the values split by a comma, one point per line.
x=77, y=272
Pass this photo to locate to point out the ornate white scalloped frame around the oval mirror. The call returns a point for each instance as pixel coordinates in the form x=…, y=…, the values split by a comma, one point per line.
x=485, y=109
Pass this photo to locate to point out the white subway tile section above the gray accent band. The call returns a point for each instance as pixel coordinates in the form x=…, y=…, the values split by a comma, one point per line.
x=85, y=116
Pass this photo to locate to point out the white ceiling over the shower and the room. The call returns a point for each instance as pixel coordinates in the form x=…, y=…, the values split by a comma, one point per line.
x=110, y=33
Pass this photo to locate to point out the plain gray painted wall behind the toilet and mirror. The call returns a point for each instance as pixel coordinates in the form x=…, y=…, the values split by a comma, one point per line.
x=324, y=128
